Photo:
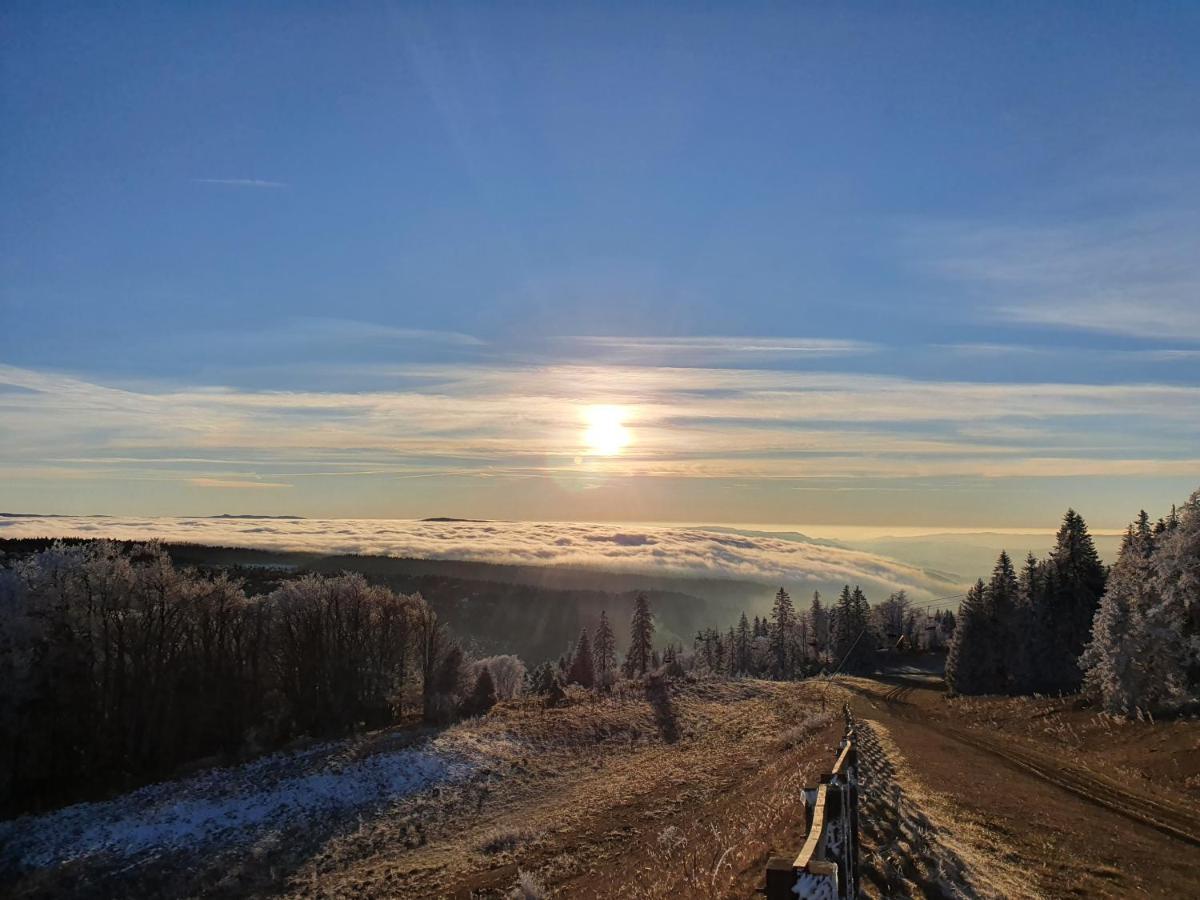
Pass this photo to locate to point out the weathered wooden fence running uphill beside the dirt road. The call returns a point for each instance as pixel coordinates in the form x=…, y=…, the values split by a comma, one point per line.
x=827, y=867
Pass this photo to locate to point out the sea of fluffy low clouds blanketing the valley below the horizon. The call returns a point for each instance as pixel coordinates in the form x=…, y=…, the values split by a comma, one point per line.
x=663, y=550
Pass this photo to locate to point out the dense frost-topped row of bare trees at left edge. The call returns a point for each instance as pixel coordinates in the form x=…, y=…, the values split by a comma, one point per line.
x=117, y=667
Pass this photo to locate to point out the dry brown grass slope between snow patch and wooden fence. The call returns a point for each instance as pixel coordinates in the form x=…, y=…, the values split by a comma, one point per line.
x=685, y=793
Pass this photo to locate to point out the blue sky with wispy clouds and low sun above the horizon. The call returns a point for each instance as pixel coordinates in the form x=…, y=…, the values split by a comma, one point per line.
x=857, y=265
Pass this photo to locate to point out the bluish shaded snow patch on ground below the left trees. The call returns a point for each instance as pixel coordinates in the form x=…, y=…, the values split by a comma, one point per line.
x=229, y=806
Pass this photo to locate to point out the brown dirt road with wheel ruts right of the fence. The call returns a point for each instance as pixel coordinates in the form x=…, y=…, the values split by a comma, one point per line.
x=1025, y=817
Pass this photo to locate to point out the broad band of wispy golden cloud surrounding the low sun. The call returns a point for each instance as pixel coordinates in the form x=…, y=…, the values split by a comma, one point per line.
x=525, y=422
